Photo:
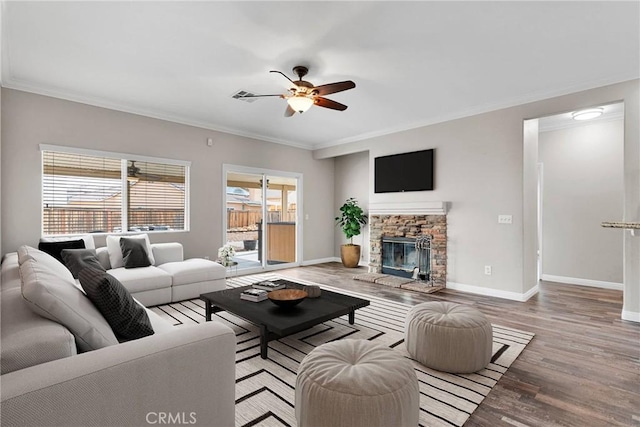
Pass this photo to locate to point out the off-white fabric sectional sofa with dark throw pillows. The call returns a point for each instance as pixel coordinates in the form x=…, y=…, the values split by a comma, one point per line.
x=183, y=372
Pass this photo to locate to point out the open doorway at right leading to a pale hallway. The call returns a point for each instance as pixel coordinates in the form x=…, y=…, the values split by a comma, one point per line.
x=580, y=184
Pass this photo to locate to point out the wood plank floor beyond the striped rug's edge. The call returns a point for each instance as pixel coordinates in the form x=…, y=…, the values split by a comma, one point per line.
x=581, y=369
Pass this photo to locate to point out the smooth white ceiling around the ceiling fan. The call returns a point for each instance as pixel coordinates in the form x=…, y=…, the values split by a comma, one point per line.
x=414, y=63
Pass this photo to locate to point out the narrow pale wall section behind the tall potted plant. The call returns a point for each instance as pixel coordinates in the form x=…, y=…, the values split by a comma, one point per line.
x=353, y=169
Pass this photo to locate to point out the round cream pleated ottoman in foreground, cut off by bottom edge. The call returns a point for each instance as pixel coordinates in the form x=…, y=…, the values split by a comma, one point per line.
x=356, y=383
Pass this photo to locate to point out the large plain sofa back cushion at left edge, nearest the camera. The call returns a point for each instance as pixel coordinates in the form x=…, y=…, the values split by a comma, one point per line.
x=27, y=338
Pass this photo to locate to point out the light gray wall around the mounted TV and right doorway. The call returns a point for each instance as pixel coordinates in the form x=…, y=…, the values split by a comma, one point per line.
x=480, y=170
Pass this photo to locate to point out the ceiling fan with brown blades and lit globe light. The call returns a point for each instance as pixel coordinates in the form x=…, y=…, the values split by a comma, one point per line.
x=304, y=94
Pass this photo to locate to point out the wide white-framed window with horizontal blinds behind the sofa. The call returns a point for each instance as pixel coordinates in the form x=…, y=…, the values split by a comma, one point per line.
x=96, y=192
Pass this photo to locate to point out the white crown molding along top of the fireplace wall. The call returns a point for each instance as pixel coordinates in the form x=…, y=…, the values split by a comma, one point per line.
x=484, y=108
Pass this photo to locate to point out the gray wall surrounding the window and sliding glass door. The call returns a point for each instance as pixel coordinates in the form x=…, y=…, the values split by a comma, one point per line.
x=28, y=120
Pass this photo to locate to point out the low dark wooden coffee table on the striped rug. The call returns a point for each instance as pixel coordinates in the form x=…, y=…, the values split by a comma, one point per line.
x=276, y=322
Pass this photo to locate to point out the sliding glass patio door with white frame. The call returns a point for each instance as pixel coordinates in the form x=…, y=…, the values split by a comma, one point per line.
x=261, y=217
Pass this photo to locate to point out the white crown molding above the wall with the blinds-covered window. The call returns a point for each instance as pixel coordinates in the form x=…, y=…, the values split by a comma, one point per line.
x=16, y=84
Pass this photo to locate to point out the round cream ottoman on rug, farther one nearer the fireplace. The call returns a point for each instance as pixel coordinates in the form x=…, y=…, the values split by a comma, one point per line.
x=449, y=337
